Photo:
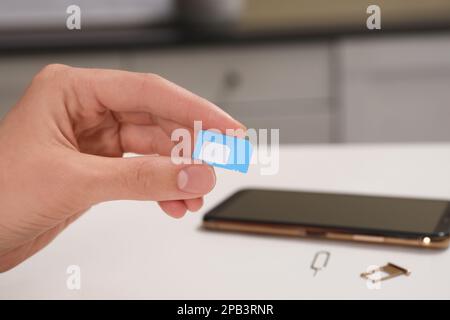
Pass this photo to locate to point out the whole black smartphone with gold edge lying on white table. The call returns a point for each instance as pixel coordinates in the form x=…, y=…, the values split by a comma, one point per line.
x=375, y=219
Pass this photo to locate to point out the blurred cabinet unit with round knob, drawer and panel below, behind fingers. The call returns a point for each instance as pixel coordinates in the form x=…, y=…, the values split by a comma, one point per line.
x=264, y=86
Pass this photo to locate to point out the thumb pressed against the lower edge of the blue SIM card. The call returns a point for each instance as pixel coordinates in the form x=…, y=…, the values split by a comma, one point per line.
x=146, y=178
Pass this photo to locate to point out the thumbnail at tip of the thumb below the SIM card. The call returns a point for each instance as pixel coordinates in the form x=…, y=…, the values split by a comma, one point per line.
x=196, y=179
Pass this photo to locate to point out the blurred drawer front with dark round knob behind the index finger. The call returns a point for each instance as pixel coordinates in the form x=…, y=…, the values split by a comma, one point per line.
x=262, y=72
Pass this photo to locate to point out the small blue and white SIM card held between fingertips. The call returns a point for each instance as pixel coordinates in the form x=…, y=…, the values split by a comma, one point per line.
x=223, y=151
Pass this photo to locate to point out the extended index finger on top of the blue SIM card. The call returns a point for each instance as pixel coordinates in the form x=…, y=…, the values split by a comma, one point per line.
x=124, y=91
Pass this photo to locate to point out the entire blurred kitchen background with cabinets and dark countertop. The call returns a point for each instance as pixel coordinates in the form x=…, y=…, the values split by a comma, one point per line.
x=308, y=67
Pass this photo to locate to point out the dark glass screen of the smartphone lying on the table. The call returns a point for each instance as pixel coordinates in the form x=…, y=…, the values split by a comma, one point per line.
x=334, y=210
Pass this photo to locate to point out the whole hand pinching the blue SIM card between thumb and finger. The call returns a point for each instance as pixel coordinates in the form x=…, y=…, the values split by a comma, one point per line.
x=61, y=151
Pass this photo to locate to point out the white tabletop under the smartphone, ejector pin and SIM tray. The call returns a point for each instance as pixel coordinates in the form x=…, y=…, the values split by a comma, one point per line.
x=132, y=250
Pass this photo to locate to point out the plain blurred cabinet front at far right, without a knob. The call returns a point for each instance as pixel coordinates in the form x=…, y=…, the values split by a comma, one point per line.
x=395, y=89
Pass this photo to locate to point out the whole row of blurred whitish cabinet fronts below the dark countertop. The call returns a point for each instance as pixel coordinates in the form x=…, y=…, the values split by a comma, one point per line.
x=375, y=89
